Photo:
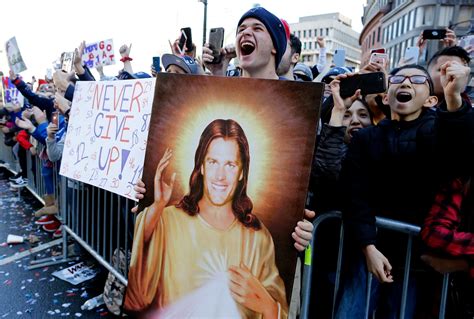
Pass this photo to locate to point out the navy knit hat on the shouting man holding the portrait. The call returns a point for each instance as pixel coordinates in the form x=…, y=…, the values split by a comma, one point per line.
x=274, y=26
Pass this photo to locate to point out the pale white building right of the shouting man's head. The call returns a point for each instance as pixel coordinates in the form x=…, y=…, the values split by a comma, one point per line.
x=338, y=33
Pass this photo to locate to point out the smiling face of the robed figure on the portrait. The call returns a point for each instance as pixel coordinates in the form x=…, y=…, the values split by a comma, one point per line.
x=222, y=171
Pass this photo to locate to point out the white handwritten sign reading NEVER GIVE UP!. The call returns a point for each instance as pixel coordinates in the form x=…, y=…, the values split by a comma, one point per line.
x=107, y=134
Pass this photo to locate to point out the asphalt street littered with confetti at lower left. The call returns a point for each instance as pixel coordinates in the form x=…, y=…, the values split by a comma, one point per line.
x=37, y=293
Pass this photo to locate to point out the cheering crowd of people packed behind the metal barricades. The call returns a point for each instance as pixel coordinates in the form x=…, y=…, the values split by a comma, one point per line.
x=405, y=154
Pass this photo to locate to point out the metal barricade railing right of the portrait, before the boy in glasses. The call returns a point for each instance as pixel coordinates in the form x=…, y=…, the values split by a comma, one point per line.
x=382, y=223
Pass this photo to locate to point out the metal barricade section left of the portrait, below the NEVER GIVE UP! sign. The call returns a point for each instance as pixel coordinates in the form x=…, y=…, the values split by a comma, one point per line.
x=98, y=220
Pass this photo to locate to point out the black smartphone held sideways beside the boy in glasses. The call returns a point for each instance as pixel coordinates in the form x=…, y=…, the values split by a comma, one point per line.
x=368, y=83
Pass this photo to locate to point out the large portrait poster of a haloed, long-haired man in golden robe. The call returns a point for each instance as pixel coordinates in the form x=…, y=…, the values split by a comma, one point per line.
x=241, y=148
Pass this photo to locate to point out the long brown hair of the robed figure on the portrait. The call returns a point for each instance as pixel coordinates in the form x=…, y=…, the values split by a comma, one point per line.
x=241, y=204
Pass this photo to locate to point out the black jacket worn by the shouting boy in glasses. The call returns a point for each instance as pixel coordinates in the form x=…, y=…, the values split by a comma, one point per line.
x=394, y=169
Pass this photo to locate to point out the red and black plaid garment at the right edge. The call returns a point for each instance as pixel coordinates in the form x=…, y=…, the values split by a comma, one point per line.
x=440, y=228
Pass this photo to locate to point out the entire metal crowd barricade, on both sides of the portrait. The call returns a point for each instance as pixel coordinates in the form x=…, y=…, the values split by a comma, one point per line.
x=101, y=222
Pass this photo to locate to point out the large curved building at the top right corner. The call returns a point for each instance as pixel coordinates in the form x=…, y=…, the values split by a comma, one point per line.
x=396, y=24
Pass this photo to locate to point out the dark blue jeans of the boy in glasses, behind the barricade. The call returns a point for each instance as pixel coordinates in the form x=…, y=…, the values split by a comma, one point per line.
x=385, y=299
